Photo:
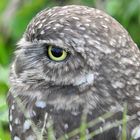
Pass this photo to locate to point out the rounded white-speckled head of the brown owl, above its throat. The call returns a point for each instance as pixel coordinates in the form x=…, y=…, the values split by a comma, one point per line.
x=73, y=46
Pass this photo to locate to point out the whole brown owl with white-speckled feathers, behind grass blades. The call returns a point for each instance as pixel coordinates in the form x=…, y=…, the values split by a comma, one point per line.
x=75, y=63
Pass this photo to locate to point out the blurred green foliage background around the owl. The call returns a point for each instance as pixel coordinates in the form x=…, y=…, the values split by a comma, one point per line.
x=16, y=14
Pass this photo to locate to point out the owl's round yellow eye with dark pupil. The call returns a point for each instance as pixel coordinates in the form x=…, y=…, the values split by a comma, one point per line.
x=56, y=53
